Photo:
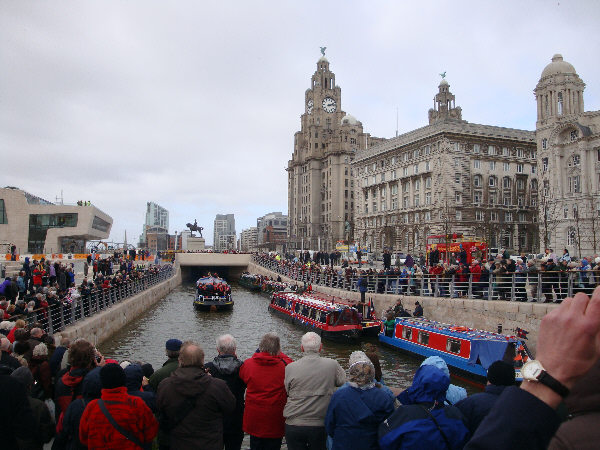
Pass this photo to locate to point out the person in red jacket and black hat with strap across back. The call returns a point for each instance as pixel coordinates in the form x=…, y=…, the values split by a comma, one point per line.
x=130, y=413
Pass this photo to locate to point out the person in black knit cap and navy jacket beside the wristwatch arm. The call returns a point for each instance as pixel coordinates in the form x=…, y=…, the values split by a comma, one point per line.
x=499, y=375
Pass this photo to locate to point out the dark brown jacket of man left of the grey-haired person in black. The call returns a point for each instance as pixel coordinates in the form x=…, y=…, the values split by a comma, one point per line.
x=202, y=427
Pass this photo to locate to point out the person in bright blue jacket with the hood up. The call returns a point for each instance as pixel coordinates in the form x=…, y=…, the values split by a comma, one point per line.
x=423, y=421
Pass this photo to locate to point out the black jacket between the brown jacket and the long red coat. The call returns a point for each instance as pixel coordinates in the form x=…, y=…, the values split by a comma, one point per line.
x=227, y=368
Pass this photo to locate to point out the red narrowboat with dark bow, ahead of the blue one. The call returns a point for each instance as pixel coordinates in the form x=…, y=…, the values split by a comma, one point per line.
x=332, y=321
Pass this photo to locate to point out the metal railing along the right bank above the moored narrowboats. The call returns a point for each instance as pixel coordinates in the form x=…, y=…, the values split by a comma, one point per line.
x=517, y=286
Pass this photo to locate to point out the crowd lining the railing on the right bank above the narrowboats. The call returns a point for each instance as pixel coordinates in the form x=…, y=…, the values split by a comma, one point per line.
x=550, y=279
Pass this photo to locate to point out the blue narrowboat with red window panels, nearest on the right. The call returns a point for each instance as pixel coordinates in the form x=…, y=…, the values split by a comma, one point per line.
x=467, y=351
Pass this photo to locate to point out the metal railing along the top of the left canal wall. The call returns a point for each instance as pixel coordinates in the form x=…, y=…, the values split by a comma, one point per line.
x=70, y=310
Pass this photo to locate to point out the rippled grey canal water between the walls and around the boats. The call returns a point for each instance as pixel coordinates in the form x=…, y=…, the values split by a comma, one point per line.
x=175, y=317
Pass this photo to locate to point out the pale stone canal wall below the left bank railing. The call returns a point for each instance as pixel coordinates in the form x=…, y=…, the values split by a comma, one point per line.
x=102, y=325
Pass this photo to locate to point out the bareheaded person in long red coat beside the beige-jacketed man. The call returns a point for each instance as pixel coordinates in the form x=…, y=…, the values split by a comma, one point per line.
x=266, y=397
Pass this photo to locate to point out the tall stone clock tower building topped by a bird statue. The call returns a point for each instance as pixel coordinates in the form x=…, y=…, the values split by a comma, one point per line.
x=321, y=185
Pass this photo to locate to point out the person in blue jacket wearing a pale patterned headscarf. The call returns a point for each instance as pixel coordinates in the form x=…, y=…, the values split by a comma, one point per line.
x=356, y=410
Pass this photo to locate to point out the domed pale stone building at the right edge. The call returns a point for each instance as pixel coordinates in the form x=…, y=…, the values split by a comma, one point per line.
x=568, y=141
